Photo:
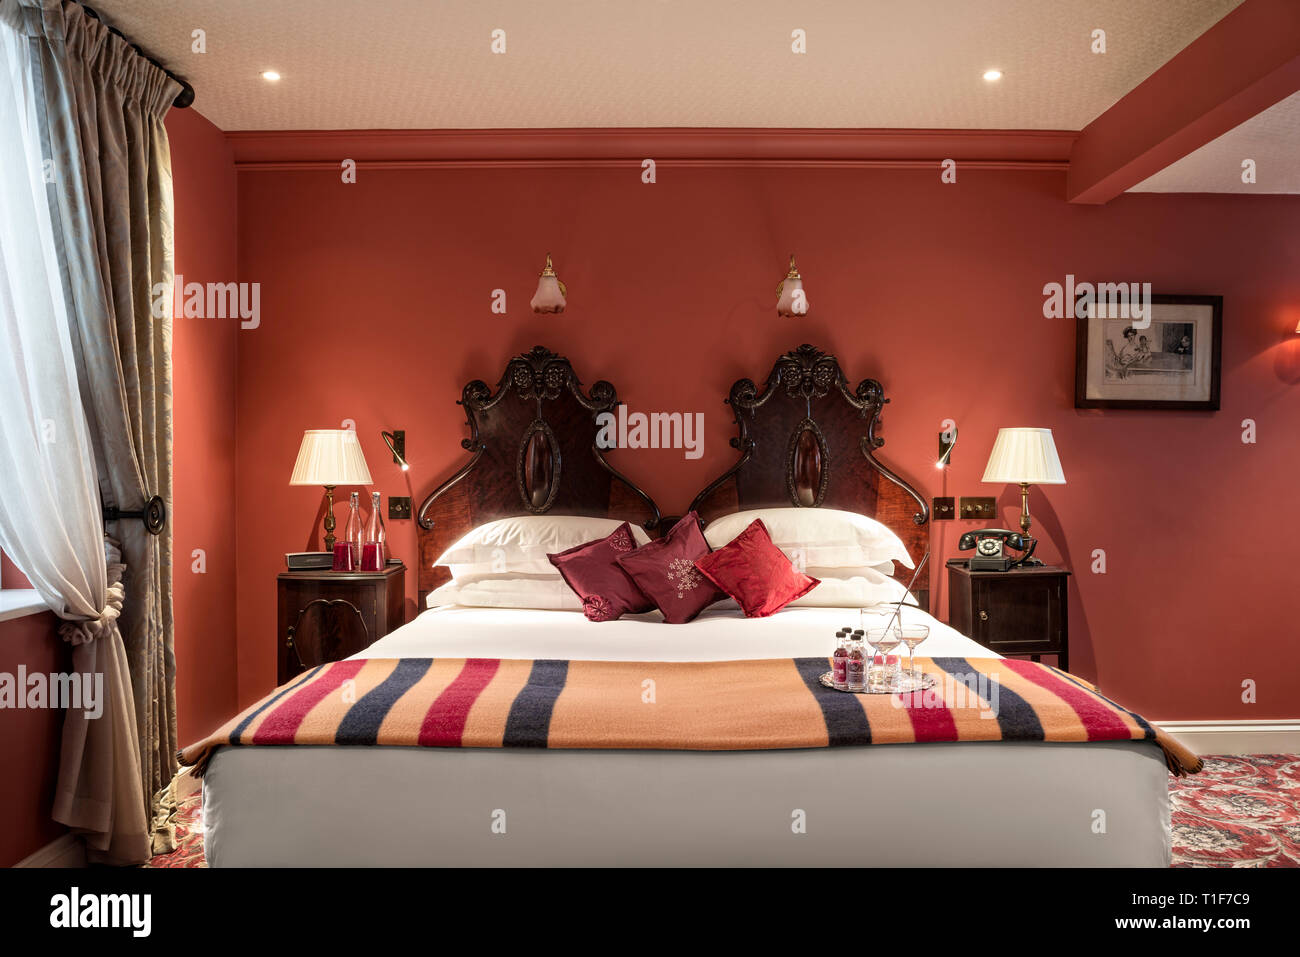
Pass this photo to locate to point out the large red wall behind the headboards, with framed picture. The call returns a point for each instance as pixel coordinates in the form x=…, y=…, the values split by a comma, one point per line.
x=376, y=308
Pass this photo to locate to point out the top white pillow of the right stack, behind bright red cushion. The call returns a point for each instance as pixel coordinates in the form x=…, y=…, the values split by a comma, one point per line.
x=818, y=538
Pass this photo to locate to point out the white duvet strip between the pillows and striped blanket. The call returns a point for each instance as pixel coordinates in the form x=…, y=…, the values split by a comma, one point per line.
x=717, y=635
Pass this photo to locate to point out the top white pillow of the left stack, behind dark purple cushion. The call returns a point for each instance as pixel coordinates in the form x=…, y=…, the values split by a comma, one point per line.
x=521, y=544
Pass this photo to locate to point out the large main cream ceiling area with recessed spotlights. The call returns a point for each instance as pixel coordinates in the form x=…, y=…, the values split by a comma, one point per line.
x=427, y=64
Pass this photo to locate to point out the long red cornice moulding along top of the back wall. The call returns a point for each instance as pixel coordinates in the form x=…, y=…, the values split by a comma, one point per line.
x=675, y=148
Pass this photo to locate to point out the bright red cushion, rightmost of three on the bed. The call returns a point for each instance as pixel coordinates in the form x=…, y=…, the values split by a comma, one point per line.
x=756, y=573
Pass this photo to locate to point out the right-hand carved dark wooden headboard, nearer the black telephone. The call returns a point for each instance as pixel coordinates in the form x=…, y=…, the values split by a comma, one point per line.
x=807, y=441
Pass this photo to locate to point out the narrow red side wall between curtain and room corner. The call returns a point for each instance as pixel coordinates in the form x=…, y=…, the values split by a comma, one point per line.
x=205, y=363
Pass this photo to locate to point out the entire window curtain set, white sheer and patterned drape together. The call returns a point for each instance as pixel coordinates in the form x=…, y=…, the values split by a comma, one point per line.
x=90, y=363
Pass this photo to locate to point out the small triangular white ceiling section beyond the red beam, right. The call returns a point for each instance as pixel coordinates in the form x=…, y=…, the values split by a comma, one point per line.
x=1272, y=140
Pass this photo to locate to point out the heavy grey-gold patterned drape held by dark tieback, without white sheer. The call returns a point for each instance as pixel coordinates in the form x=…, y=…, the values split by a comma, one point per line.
x=102, y=109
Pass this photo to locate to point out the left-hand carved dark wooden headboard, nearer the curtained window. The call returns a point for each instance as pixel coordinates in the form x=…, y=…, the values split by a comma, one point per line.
x=535, y=453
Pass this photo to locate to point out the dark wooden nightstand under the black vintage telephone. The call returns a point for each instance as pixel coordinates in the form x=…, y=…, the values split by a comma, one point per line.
x=1019, y=612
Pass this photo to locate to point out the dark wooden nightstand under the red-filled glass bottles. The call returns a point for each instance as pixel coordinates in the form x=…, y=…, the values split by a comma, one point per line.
x=328, y=616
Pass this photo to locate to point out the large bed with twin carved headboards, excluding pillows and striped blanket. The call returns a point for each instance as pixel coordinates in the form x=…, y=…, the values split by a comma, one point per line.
x=804, y=440
